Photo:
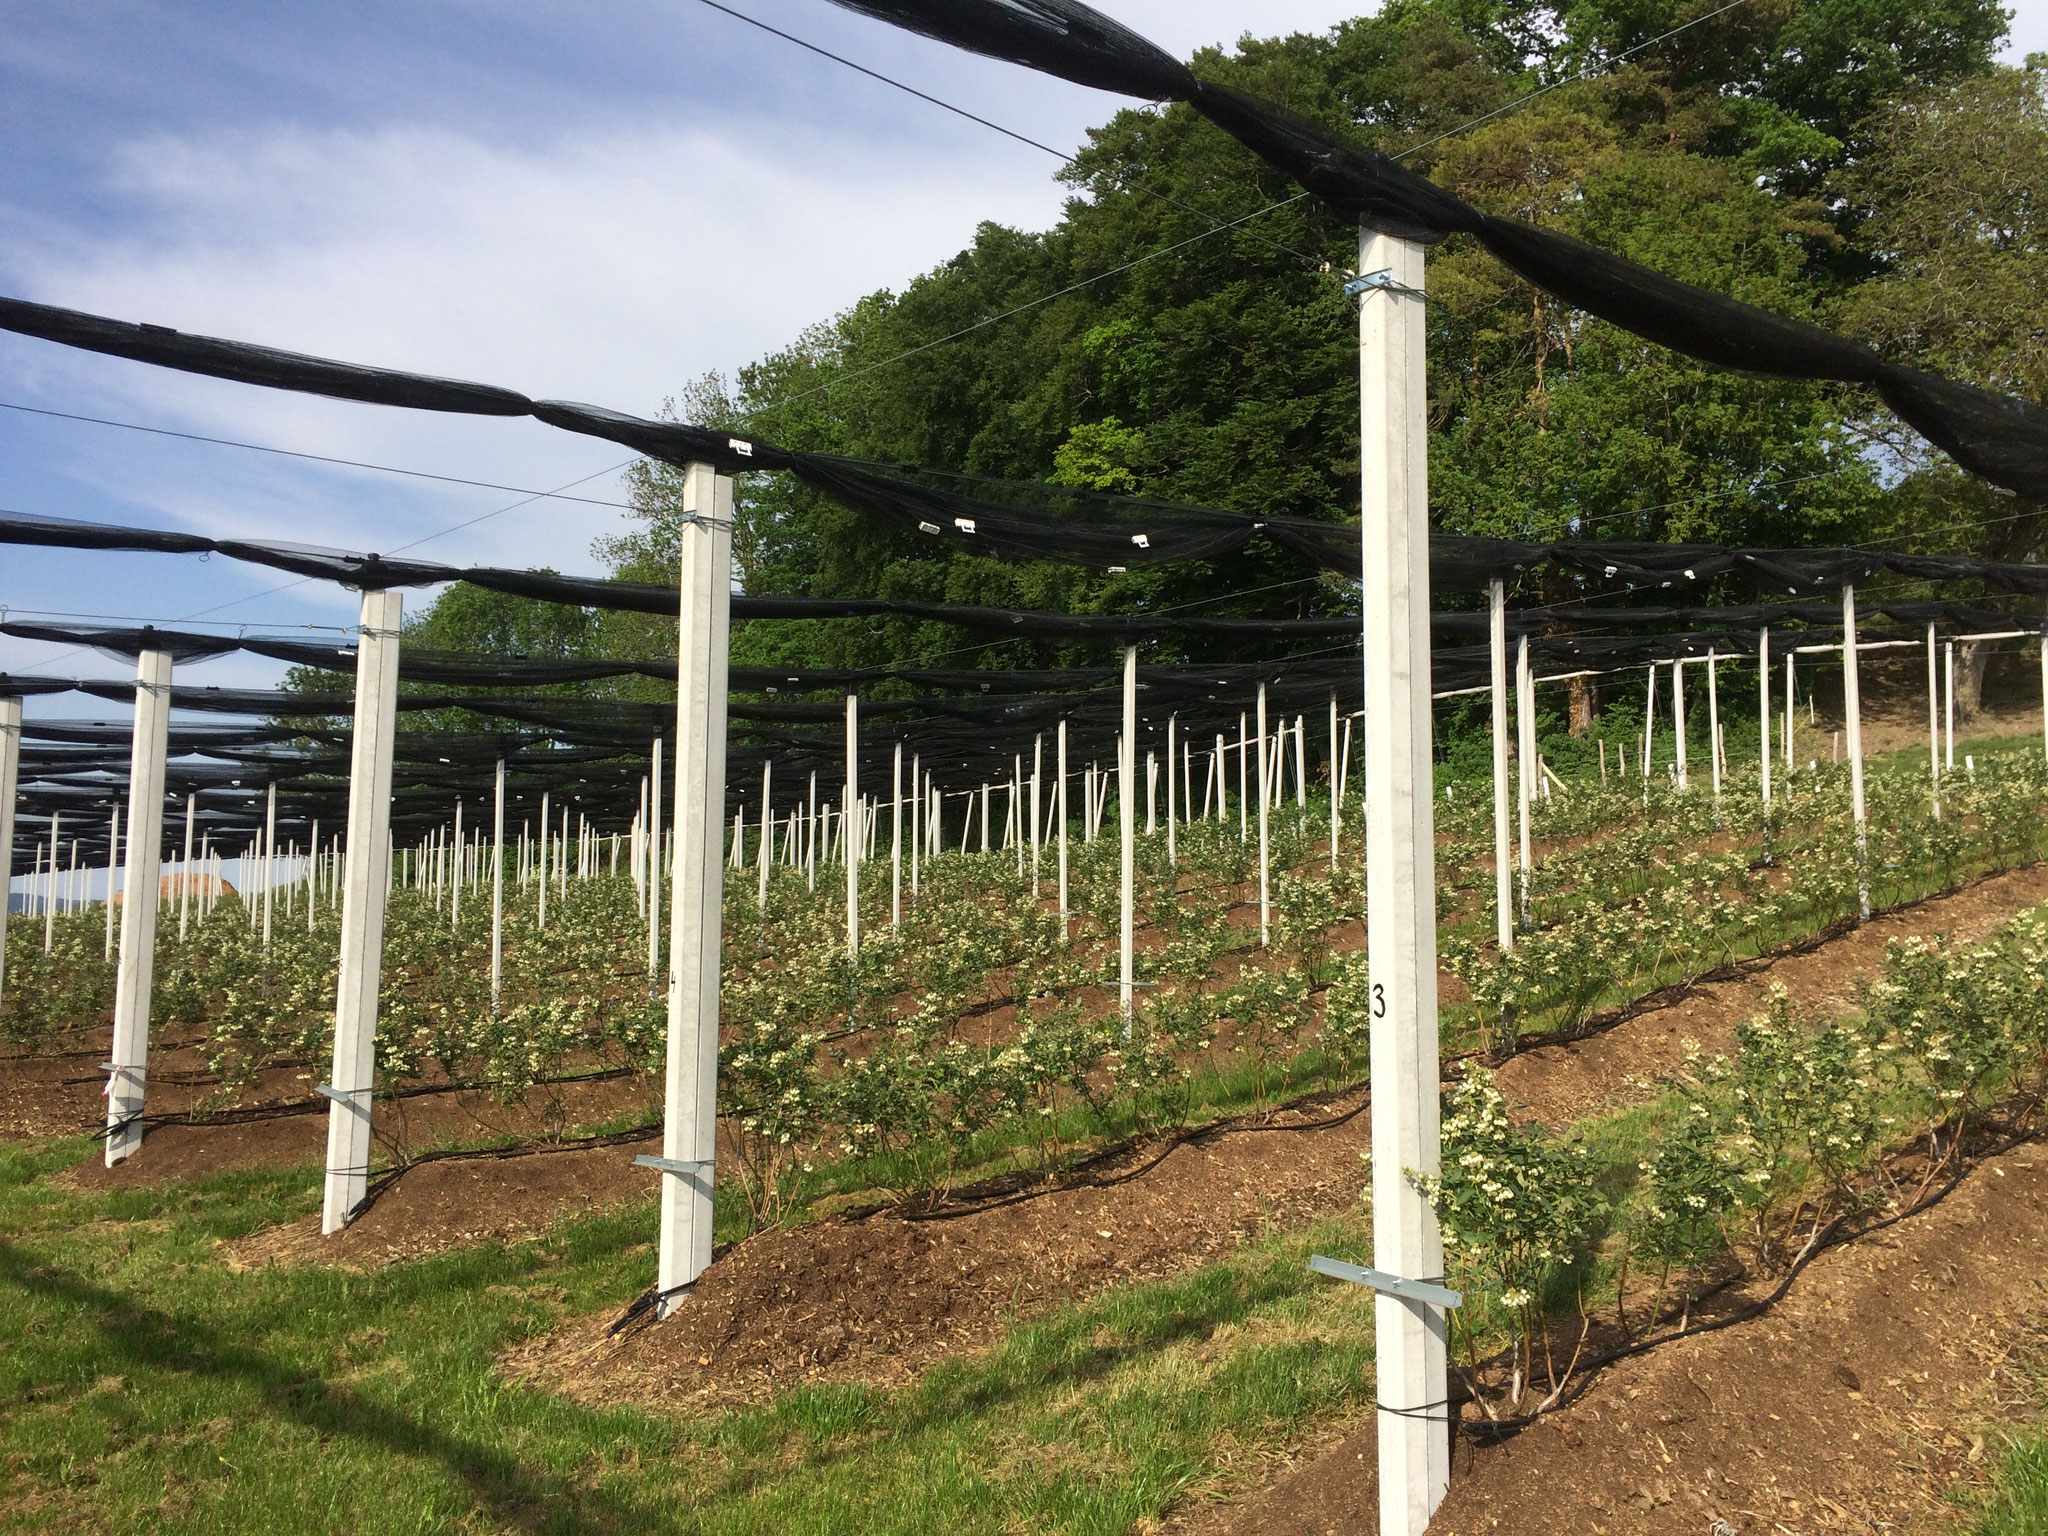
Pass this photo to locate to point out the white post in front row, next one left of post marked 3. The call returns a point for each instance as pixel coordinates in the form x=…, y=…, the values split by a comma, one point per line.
x=689, y=1140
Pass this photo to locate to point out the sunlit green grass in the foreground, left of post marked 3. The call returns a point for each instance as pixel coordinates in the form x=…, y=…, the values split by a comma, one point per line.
x=144, y=1385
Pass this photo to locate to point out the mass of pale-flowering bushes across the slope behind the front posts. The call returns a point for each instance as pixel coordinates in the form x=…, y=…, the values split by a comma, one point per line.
x=982, y=1019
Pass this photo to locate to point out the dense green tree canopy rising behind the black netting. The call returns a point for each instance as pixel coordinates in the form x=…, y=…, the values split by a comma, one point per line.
x=1183, y=331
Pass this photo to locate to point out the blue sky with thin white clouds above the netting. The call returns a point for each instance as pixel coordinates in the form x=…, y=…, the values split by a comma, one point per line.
x=579, y=202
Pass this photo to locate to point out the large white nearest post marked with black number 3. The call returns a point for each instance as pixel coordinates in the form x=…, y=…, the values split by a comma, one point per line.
x=1414, y=1418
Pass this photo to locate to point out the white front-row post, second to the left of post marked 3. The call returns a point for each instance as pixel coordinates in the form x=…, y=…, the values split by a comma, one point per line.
x=366, y=886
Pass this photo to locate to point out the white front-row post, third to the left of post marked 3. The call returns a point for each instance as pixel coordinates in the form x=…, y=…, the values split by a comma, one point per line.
x=130, y=1060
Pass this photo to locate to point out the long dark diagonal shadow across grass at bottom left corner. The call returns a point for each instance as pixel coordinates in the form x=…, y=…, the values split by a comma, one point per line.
x=161, y=1340
